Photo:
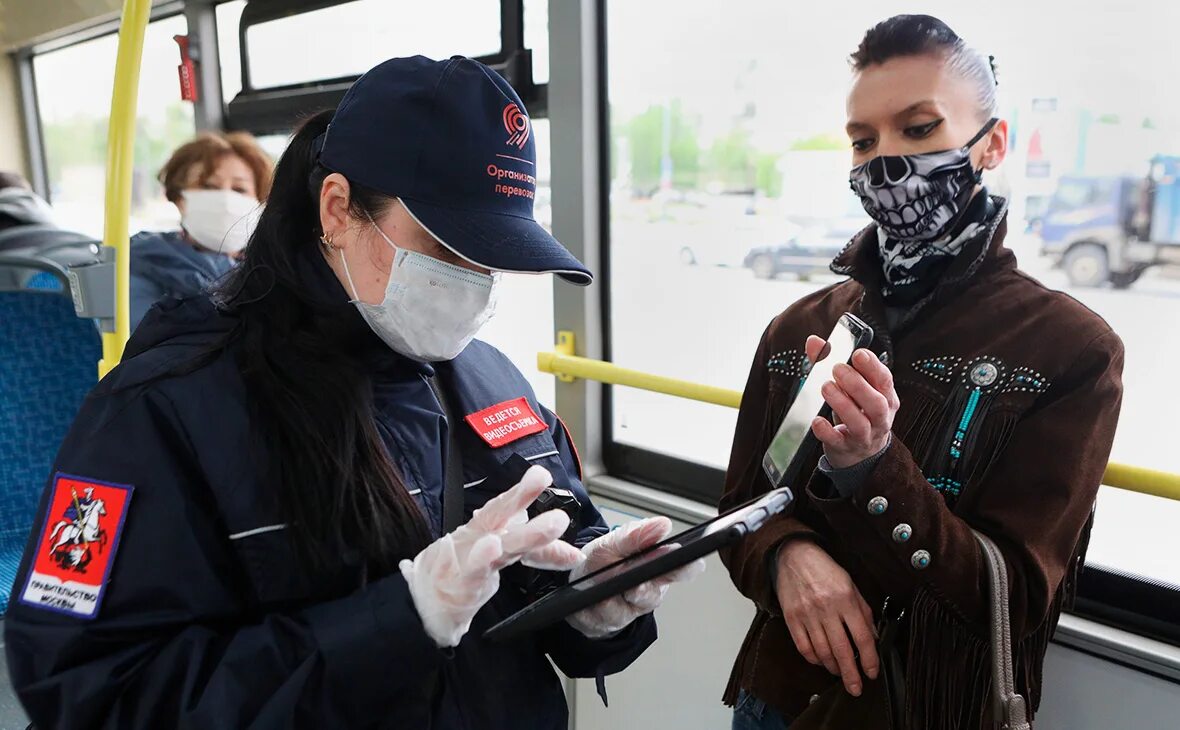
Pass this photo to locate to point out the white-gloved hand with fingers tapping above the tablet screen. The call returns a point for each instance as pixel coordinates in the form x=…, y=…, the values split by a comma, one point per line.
x=455, y=576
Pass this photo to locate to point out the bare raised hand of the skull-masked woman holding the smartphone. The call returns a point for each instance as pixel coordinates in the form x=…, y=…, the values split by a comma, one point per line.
x=864, y=404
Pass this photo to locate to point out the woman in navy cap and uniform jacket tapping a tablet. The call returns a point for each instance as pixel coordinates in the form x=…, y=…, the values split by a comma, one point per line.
x=310, y=495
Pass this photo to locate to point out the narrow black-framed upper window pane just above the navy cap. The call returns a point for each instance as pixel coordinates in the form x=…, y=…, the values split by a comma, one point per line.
x=350, y=40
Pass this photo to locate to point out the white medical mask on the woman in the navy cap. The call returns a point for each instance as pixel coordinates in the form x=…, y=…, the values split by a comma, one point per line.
x=432, y=310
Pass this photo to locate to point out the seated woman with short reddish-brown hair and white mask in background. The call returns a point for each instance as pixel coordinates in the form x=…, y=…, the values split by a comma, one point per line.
x=217, y=181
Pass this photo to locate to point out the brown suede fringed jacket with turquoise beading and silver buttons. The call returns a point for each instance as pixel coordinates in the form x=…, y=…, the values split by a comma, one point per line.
x=1011, y=396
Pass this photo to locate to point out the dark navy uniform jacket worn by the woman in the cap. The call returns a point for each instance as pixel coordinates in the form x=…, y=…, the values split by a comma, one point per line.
x=209, y=620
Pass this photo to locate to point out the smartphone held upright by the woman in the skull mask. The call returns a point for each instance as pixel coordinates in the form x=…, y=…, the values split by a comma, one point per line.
x=847, y=338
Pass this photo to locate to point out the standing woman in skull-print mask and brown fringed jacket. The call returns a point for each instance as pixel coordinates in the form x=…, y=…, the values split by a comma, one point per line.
x=987, y=402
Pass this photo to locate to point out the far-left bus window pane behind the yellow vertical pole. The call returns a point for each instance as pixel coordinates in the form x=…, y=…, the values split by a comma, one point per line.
x=74, y=95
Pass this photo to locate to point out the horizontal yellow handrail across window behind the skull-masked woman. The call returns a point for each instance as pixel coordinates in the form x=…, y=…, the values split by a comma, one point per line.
x=568, y=366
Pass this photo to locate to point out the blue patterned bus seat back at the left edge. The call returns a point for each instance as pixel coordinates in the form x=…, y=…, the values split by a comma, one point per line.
x=48, y=364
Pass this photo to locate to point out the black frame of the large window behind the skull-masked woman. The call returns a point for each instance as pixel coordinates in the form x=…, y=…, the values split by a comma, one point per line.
x=1106, y=596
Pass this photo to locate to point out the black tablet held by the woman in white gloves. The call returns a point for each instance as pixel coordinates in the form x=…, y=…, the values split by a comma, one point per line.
x=676, y=553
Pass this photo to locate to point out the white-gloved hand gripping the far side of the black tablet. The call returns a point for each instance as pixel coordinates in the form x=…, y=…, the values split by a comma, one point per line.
x=618, y=613
